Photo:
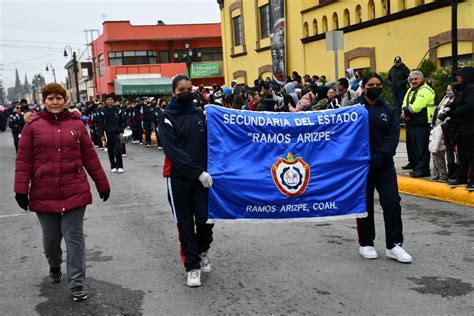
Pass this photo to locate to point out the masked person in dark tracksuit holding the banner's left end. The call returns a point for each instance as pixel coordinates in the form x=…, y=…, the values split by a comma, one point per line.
x=184, y=138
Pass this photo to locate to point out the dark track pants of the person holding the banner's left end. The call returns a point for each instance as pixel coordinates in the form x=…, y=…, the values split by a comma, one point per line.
x=188, y=200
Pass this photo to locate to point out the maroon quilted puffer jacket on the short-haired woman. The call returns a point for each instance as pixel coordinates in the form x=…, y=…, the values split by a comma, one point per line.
x=52, y=154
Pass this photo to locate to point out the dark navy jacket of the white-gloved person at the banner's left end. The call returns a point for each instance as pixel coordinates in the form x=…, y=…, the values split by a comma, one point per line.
x=183, y=135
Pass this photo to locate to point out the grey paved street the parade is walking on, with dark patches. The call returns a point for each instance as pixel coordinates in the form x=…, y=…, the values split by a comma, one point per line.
x=258, y=268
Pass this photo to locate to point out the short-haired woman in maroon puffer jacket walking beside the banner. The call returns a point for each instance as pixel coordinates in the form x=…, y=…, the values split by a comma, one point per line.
x=54, y=149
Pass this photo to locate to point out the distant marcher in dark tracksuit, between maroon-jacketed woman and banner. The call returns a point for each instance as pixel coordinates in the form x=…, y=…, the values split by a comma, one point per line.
x=112, y=124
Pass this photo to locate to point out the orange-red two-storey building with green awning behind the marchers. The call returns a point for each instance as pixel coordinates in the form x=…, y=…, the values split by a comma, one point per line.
x=133, y=60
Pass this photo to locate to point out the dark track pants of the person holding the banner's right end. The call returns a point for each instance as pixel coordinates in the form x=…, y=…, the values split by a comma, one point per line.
x=385, y=181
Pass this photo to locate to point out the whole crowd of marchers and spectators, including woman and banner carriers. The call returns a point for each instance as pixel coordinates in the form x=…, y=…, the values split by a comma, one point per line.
x=446, y=130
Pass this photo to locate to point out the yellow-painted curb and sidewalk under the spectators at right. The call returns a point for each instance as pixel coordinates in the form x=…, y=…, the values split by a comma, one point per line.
x=424, y=186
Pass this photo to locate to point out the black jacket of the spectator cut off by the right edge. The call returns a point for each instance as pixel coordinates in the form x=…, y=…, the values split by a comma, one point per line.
x=462, y=112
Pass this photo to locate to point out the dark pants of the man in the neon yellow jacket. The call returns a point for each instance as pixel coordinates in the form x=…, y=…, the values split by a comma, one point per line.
x=417, y=147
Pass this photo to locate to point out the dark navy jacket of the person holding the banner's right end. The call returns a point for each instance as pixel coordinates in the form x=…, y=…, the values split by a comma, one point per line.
x=384, y=132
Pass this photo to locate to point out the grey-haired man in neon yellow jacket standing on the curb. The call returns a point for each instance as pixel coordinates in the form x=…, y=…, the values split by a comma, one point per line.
x=417, y=111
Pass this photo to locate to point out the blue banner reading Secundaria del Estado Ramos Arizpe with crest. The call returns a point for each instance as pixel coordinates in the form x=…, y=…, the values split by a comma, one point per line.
x=310, y=165
